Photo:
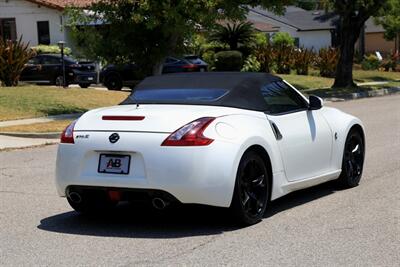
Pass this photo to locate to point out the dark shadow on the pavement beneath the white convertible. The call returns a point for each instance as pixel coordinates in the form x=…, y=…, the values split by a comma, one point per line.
x=134, y=221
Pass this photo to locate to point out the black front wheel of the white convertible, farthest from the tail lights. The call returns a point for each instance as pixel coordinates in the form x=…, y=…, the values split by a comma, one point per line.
x=353, y=160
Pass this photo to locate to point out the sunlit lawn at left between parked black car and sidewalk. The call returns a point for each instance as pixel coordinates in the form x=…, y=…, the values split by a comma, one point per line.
x=36, y=101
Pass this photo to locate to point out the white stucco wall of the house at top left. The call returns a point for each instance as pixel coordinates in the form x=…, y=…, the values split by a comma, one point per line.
x=26, y=15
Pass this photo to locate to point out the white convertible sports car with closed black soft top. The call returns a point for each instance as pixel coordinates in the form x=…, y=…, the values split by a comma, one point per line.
x=234, y=140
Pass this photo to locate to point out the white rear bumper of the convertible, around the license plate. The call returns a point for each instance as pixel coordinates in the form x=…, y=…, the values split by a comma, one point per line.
x=200, y=175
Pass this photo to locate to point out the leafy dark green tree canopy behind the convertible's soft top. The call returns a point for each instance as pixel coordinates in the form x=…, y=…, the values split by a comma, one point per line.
x=146, y=31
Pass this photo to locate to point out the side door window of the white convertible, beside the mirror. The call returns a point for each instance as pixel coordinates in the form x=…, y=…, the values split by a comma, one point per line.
x=281, y=98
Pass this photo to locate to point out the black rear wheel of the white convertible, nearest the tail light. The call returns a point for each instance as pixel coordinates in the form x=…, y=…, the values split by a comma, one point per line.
x=251, y=193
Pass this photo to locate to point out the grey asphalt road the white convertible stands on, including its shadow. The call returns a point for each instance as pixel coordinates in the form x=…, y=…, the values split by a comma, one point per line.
x=318, y=226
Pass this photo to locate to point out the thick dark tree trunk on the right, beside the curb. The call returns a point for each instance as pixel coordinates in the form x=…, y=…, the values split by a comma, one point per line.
x=350, y=30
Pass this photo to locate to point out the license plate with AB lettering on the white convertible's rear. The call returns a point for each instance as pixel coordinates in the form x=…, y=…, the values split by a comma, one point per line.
x=115, y=164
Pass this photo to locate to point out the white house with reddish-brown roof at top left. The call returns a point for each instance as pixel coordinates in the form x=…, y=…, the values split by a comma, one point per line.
x=35, y=21
